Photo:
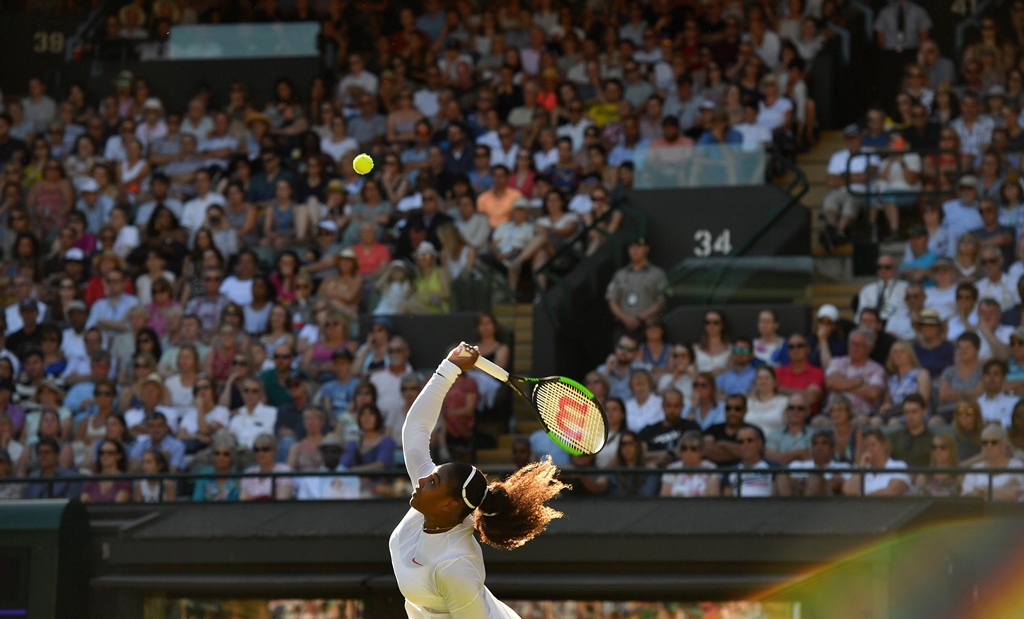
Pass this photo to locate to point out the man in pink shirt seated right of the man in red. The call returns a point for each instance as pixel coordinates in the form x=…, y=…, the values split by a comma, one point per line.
x=857, y=376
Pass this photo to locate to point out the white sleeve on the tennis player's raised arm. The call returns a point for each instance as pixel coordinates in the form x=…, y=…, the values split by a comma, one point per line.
x=421, y=421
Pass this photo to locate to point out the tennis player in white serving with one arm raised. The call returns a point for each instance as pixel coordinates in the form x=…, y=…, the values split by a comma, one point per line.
x=437, y=558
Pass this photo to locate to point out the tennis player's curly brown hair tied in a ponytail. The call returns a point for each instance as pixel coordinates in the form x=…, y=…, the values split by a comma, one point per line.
x=517, y=506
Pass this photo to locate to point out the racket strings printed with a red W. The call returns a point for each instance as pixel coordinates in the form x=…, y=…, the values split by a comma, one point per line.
x=571, y=416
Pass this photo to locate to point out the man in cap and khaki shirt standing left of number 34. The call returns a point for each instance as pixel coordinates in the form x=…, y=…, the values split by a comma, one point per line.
x=635, y=293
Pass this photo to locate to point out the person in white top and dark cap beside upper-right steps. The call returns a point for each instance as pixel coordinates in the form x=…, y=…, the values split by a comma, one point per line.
x=847, y=175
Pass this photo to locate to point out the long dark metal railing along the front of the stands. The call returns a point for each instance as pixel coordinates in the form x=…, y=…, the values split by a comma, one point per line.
x=400, y=476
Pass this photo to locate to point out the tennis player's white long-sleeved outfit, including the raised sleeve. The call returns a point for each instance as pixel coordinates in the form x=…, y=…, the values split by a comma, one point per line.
x=441, y=574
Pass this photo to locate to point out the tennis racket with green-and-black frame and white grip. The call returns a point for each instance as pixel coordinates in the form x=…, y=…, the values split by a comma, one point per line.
x=570, y=414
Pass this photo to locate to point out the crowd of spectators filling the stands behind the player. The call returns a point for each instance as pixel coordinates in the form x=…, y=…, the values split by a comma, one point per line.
x=191, y=290
